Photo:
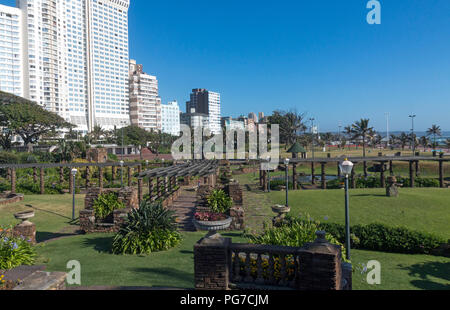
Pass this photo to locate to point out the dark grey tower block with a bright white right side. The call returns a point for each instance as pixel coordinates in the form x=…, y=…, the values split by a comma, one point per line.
x=206, y=102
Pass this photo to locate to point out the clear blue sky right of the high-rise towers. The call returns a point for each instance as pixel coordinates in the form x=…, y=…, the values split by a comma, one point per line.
x=319, y=57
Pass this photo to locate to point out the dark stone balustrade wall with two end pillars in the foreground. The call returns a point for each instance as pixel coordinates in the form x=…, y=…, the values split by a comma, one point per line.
x=320, y=266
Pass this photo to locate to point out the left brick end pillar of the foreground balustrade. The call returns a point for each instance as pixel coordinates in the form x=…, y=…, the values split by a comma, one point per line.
x=212, y=259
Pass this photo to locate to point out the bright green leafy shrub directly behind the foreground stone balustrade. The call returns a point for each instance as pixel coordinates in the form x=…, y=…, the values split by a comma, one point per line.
x=294, y=232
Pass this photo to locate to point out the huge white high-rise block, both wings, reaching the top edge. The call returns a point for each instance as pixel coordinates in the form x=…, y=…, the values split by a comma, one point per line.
x=76, y=59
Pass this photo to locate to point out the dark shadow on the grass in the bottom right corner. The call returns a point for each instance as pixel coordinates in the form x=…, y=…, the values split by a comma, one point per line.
x=430, y=269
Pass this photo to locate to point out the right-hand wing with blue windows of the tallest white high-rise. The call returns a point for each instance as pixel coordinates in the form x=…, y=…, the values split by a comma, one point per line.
x=108, y=61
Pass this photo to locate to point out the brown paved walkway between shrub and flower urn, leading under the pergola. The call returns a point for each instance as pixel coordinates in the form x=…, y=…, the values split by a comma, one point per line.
x=184, y=208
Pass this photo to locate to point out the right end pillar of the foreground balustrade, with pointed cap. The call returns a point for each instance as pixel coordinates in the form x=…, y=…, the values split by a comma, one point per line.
x=320, y=265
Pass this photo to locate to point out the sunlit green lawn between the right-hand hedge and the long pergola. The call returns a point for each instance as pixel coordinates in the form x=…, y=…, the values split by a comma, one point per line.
x=422, y=209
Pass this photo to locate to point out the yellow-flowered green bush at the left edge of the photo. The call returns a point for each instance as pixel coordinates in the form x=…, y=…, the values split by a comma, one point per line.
x=15, y=251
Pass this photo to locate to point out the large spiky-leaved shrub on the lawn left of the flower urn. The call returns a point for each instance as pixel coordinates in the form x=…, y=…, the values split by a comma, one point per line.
x=151, y=228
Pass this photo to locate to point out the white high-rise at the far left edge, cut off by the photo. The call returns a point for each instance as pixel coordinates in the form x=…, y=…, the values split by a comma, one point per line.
x=11, y=51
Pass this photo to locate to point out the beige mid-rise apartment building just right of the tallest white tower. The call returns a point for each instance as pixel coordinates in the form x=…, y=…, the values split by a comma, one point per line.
x=145, y=104
